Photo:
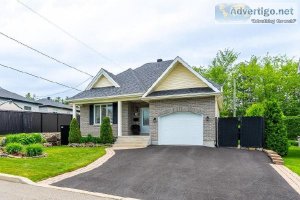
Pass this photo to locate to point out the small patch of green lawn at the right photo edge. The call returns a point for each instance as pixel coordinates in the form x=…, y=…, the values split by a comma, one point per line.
x=292, y=160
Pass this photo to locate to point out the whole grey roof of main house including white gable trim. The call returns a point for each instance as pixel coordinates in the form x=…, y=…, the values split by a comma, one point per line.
x=134, y=81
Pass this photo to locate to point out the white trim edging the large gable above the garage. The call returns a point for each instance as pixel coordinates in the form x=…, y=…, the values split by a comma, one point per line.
x=178, y=59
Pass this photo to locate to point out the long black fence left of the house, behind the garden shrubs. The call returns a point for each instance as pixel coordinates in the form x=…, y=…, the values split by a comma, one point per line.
x=29, y=122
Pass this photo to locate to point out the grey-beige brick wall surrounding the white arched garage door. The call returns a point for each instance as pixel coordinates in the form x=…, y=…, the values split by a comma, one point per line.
x=204, y=106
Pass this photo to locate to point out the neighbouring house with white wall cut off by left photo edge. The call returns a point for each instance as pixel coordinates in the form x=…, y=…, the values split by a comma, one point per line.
x=13, y=101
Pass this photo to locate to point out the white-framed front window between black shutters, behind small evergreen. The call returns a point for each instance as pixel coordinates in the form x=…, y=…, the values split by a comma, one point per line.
x=101, y=111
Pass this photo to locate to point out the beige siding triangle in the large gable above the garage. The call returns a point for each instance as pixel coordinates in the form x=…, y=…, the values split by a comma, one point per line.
x=179, y=78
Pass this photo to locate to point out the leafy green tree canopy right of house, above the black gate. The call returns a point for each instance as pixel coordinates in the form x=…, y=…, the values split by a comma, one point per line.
x=258, y=79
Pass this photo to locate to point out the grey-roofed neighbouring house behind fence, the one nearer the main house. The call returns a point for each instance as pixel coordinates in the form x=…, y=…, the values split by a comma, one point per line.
x=50, y=106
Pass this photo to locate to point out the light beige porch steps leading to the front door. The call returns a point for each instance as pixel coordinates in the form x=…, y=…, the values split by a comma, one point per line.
x=132, y=142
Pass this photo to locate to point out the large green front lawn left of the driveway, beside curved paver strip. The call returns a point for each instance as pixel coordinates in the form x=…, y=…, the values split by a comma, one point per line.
x=59, y=160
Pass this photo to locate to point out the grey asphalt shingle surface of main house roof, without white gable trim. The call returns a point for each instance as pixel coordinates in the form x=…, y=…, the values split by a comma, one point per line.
x=131, y=81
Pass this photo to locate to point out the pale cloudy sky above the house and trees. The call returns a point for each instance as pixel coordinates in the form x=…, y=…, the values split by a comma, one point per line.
x=126, y=34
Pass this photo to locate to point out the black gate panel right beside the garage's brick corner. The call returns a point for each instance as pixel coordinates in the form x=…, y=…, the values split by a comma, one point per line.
x=228, y=132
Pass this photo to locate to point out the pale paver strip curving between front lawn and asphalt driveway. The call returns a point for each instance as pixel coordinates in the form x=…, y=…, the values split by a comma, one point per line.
x=109, y=153
